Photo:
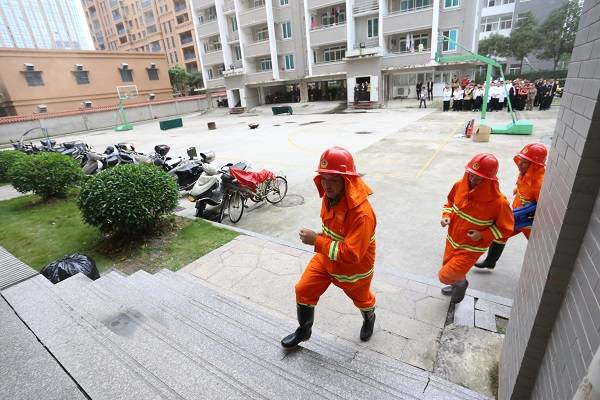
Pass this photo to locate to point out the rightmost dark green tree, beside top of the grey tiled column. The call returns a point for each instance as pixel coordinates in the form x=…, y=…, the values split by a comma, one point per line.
x=558, y=33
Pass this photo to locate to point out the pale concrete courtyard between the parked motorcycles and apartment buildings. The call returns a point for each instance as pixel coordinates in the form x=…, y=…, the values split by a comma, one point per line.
x=410, y=157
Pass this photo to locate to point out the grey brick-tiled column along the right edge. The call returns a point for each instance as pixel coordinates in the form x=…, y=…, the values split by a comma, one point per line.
x=553, y=330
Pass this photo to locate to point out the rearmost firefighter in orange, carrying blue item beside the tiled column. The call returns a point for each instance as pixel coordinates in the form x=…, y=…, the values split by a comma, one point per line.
x=531, y=162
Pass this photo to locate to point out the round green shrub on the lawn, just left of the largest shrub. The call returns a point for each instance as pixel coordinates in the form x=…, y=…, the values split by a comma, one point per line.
x=45, y=174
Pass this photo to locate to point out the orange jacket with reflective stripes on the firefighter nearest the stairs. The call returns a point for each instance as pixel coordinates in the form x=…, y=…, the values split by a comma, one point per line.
x=347, y=244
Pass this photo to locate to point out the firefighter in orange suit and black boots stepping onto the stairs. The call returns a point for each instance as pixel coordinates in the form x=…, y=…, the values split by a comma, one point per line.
x=345, y=248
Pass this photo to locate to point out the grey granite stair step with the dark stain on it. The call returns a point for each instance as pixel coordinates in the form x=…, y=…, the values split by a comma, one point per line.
x=139, y=336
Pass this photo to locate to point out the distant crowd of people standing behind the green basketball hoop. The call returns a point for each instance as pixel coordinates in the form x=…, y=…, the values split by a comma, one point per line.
x=467, y=95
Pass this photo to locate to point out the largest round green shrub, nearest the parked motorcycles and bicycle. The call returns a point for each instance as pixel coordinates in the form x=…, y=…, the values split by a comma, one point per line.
x=128, y=199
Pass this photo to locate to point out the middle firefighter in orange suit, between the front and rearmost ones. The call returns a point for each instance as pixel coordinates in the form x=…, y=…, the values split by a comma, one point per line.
x=476, y=213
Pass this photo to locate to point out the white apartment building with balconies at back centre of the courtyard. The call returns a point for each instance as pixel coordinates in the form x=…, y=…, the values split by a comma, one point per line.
x=275, y=51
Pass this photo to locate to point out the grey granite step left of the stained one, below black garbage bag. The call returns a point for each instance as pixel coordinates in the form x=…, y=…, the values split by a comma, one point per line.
x=94, y=362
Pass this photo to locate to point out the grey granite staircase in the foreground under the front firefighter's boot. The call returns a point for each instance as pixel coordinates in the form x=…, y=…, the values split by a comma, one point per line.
x=171, y=336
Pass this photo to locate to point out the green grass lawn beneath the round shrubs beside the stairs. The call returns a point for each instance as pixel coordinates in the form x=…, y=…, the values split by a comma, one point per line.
x=38, y=233
